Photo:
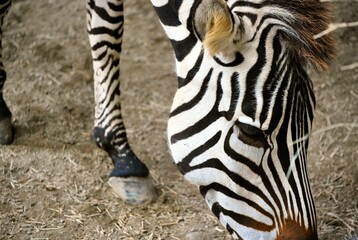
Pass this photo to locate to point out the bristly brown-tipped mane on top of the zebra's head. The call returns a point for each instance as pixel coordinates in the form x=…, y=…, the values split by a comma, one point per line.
x=310, y=17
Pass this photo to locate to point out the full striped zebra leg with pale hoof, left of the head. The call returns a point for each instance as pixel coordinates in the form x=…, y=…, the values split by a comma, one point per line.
x=130, y=178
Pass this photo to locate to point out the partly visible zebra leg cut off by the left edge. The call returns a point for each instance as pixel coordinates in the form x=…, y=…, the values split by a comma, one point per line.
x=6, y=135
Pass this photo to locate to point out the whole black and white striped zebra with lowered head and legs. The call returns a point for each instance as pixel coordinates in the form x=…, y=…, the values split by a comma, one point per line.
x=241, y=117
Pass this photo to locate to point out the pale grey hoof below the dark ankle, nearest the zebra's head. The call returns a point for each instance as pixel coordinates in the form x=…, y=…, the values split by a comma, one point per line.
x=134, y=190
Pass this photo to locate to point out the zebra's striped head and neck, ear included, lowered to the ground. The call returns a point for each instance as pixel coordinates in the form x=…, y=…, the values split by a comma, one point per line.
x=243, y=111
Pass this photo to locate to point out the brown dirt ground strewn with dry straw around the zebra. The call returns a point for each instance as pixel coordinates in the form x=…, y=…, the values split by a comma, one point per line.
x=53, y=178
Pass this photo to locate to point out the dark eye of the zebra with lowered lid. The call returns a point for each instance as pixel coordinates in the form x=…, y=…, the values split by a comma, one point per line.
x=251, y=135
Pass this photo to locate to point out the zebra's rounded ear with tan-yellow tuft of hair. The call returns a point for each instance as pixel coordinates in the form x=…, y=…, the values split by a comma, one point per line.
x=218, y=29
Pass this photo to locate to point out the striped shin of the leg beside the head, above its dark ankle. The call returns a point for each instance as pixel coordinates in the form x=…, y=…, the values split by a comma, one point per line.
x=105, y=31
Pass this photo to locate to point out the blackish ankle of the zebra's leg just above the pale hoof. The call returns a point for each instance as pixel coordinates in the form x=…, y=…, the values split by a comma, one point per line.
x=126, y=163
